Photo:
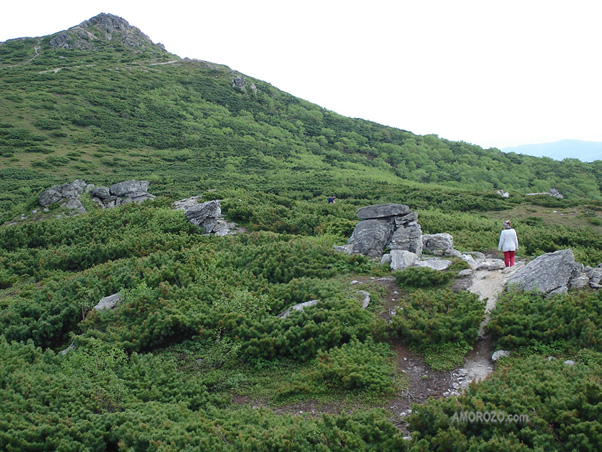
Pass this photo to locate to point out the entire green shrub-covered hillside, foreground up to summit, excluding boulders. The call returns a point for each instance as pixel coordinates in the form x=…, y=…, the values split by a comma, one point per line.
x=196, y=356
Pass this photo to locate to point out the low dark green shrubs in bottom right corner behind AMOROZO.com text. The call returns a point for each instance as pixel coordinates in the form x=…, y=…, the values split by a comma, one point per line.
x=528, y=403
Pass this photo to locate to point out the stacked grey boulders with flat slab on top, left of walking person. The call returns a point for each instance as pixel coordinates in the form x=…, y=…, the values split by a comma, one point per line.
x=394, y=227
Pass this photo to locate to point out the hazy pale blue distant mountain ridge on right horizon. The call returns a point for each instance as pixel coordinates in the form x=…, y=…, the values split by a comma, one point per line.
x=586, y=151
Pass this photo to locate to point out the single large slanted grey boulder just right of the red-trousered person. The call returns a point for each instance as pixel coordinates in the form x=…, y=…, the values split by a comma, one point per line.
x=549, y=273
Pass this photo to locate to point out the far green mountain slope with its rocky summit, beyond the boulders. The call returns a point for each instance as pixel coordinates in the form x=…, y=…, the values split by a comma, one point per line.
x=78, y=104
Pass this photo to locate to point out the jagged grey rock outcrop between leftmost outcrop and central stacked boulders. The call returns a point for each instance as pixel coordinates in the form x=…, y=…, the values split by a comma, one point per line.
x=207, y=216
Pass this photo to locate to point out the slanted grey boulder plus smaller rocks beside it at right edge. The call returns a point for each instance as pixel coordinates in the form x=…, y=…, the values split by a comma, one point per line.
x=555, y=273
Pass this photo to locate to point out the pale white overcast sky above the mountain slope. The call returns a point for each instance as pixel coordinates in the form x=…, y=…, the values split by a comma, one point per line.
x=491, y=73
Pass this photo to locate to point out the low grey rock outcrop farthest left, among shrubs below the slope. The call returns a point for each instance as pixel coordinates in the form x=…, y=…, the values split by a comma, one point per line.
x=69, y=194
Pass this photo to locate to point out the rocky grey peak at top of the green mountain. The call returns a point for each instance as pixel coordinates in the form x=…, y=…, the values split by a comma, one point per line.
x=103, y=28
